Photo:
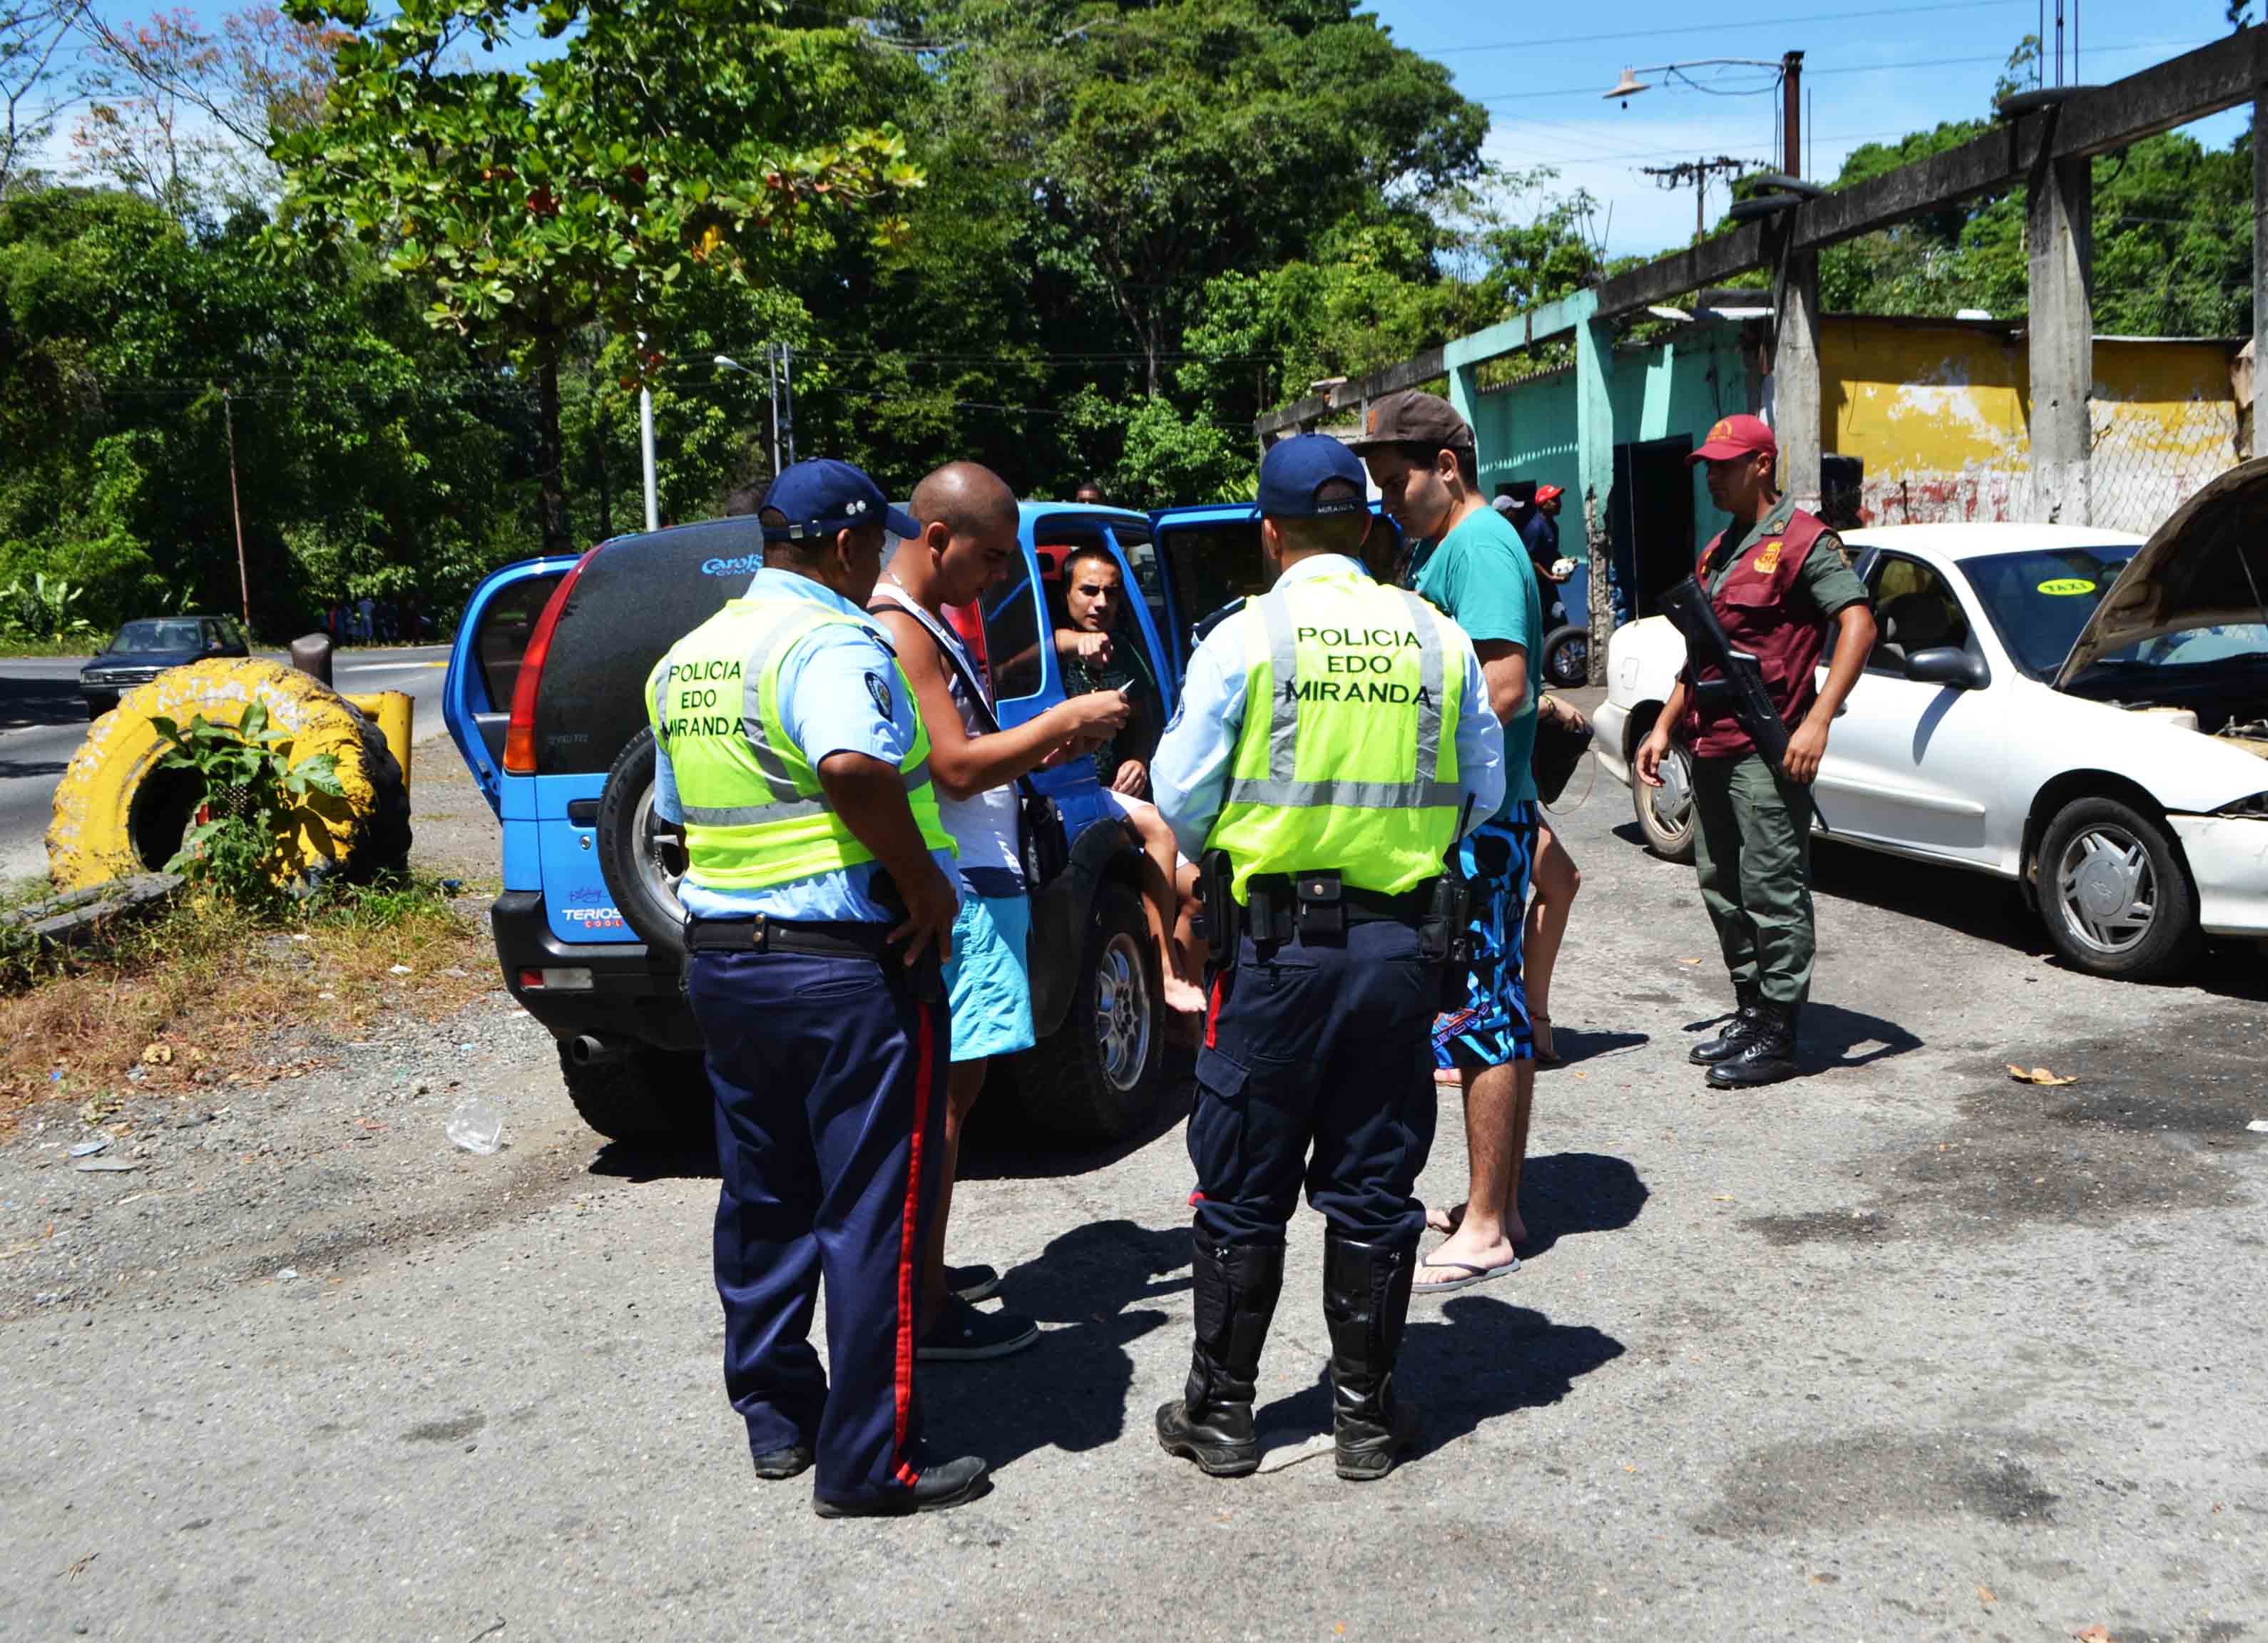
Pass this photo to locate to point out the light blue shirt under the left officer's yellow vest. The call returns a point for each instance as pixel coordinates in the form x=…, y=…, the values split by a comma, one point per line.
x=829, y=706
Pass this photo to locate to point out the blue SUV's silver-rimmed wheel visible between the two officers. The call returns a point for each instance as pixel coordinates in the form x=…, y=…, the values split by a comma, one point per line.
x=1101, y=1073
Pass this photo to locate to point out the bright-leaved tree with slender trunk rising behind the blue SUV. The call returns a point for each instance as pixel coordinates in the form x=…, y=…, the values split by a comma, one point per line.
x=670, y=144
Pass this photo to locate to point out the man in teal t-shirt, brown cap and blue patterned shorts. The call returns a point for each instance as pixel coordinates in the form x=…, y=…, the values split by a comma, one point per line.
x=1478, y=572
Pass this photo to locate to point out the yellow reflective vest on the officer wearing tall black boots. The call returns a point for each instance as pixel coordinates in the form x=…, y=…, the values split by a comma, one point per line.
x=1348, y=749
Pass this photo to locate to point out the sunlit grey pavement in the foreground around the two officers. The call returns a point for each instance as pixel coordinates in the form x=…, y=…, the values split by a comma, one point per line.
x=1904, y=1350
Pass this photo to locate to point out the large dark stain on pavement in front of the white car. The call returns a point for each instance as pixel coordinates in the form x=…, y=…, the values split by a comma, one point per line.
x=2138, y=1134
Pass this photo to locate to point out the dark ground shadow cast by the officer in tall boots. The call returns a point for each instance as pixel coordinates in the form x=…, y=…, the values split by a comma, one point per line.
x=1469, y=1363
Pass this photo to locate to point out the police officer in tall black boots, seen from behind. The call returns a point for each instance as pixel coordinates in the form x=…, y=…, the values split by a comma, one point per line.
x=1332, y=744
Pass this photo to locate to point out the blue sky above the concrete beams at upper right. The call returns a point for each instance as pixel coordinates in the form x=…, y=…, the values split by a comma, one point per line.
x=1902, y=67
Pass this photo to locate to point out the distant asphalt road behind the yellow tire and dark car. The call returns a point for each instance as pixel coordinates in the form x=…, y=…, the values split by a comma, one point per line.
x=44, y=722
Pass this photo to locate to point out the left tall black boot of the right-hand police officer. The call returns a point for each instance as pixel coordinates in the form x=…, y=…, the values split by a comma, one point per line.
x=1237, y=1288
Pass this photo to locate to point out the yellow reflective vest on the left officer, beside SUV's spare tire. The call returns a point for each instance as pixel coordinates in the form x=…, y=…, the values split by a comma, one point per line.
x=754, y=808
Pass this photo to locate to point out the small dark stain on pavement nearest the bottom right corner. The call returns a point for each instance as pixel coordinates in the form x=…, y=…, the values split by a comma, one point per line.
x=1843, y=1483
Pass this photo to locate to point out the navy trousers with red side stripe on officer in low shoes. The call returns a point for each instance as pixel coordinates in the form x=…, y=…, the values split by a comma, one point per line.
x=831, y=1107
